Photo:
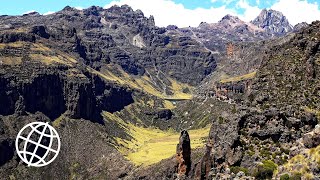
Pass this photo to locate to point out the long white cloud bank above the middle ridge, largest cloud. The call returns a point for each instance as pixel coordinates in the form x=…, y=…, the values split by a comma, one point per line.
x=168, y=12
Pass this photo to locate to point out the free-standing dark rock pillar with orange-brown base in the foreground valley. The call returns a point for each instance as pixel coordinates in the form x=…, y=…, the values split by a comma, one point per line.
x=183, y=154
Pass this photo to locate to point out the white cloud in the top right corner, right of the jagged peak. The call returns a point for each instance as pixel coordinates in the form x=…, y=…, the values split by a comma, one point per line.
x=298, y=10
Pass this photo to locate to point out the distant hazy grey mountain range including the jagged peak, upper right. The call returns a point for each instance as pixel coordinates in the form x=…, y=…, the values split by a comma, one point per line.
x=268, y=24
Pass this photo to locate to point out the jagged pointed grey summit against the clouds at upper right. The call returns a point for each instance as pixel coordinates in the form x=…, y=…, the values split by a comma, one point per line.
x=273, y=22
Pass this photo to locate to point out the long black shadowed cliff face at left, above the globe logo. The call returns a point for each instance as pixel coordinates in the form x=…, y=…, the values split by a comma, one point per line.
x=53, y=93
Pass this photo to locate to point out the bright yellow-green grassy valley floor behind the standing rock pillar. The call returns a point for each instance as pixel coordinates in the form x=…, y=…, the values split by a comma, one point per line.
x=150, y=145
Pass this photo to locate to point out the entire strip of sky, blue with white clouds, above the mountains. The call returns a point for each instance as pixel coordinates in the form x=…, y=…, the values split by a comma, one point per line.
x=180, y=12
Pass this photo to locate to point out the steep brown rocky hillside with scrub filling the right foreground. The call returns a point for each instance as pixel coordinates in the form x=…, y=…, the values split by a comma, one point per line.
x=278, y=121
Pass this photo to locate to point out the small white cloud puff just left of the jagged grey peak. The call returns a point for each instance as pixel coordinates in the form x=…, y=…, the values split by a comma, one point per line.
x=250, y=12
